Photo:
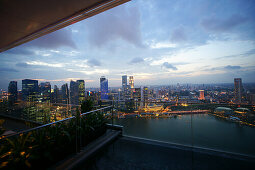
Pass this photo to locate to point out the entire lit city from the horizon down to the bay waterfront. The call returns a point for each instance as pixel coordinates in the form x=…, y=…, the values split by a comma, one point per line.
x=44, y=103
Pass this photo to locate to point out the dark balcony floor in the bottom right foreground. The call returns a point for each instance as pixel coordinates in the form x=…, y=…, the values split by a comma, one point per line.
x=131, y=153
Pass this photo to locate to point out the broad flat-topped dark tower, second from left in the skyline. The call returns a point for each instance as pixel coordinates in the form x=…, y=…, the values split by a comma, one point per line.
x=30, y=89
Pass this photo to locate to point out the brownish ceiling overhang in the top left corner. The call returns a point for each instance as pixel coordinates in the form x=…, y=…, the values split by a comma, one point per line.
x=25, y=20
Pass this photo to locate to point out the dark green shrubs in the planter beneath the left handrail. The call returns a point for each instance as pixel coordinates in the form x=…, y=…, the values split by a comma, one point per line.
x=44, y=147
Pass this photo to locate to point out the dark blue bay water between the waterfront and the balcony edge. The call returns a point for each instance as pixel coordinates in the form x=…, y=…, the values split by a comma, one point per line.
x=209, y=131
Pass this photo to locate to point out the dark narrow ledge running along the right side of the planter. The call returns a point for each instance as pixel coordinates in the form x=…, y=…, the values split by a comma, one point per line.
x=88, y=151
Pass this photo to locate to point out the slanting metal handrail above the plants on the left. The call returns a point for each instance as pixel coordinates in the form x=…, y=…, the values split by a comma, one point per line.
x=49, y=124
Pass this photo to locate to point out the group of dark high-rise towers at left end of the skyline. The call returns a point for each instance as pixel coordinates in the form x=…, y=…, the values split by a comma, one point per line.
x=32, y=91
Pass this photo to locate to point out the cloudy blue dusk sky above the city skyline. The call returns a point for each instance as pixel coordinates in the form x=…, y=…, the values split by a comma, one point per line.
x=159, y=42
